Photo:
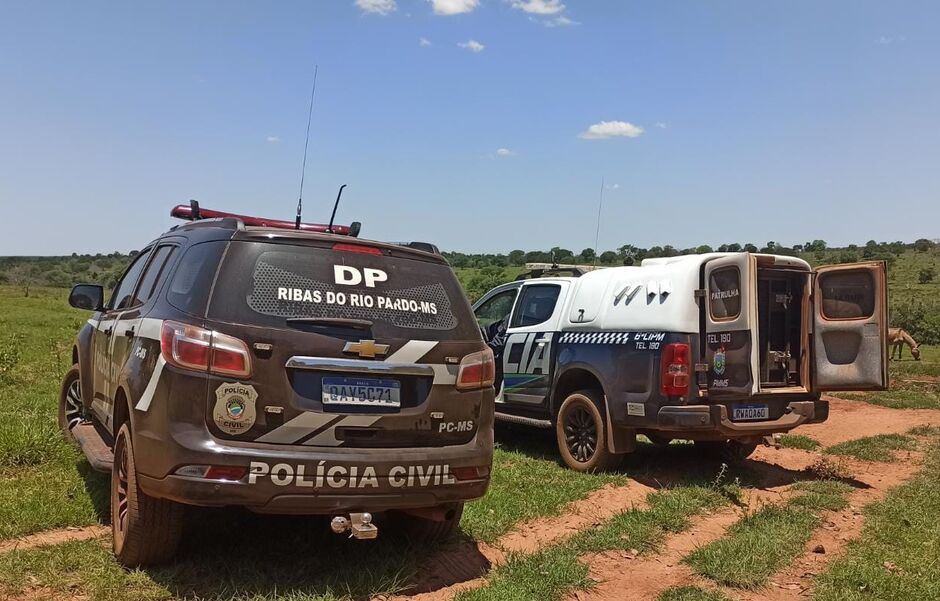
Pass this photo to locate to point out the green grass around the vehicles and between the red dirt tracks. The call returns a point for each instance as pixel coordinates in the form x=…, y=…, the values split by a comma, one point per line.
x=46, y=484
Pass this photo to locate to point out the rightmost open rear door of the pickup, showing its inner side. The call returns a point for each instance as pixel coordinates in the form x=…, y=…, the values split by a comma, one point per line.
x=850, y=318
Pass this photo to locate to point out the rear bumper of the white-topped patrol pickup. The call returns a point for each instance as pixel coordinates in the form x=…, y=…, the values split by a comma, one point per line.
x=714, y=419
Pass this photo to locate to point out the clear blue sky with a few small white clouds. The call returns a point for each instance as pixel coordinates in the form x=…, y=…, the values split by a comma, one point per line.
x=727, y=121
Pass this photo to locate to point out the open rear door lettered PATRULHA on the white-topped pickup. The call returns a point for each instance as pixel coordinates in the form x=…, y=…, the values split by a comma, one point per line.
x=731, y=326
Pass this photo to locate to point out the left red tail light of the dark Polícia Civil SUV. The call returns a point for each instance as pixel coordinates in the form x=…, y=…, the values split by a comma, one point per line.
x=192, y=347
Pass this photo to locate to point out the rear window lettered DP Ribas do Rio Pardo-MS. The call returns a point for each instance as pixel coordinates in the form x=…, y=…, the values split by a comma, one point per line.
x=266, y=284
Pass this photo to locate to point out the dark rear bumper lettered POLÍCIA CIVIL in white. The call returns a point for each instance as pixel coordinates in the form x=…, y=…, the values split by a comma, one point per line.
x=298, y=480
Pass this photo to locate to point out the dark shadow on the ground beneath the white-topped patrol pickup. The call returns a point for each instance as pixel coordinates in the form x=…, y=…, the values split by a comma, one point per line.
x=671, y=465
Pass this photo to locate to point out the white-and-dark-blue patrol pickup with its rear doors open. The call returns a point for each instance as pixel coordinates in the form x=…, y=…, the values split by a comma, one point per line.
x=723, y=349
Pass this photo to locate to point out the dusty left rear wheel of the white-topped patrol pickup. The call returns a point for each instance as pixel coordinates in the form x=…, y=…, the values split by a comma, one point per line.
x=581, y=433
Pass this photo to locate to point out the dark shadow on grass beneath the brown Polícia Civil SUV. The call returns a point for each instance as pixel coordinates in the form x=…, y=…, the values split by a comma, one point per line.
x=231, y=552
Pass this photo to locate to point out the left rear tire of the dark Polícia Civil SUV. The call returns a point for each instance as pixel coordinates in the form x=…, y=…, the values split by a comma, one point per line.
x=145, y=530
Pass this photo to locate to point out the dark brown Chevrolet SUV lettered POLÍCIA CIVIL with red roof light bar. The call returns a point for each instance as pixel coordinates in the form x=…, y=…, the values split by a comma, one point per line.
x=286, y=369
